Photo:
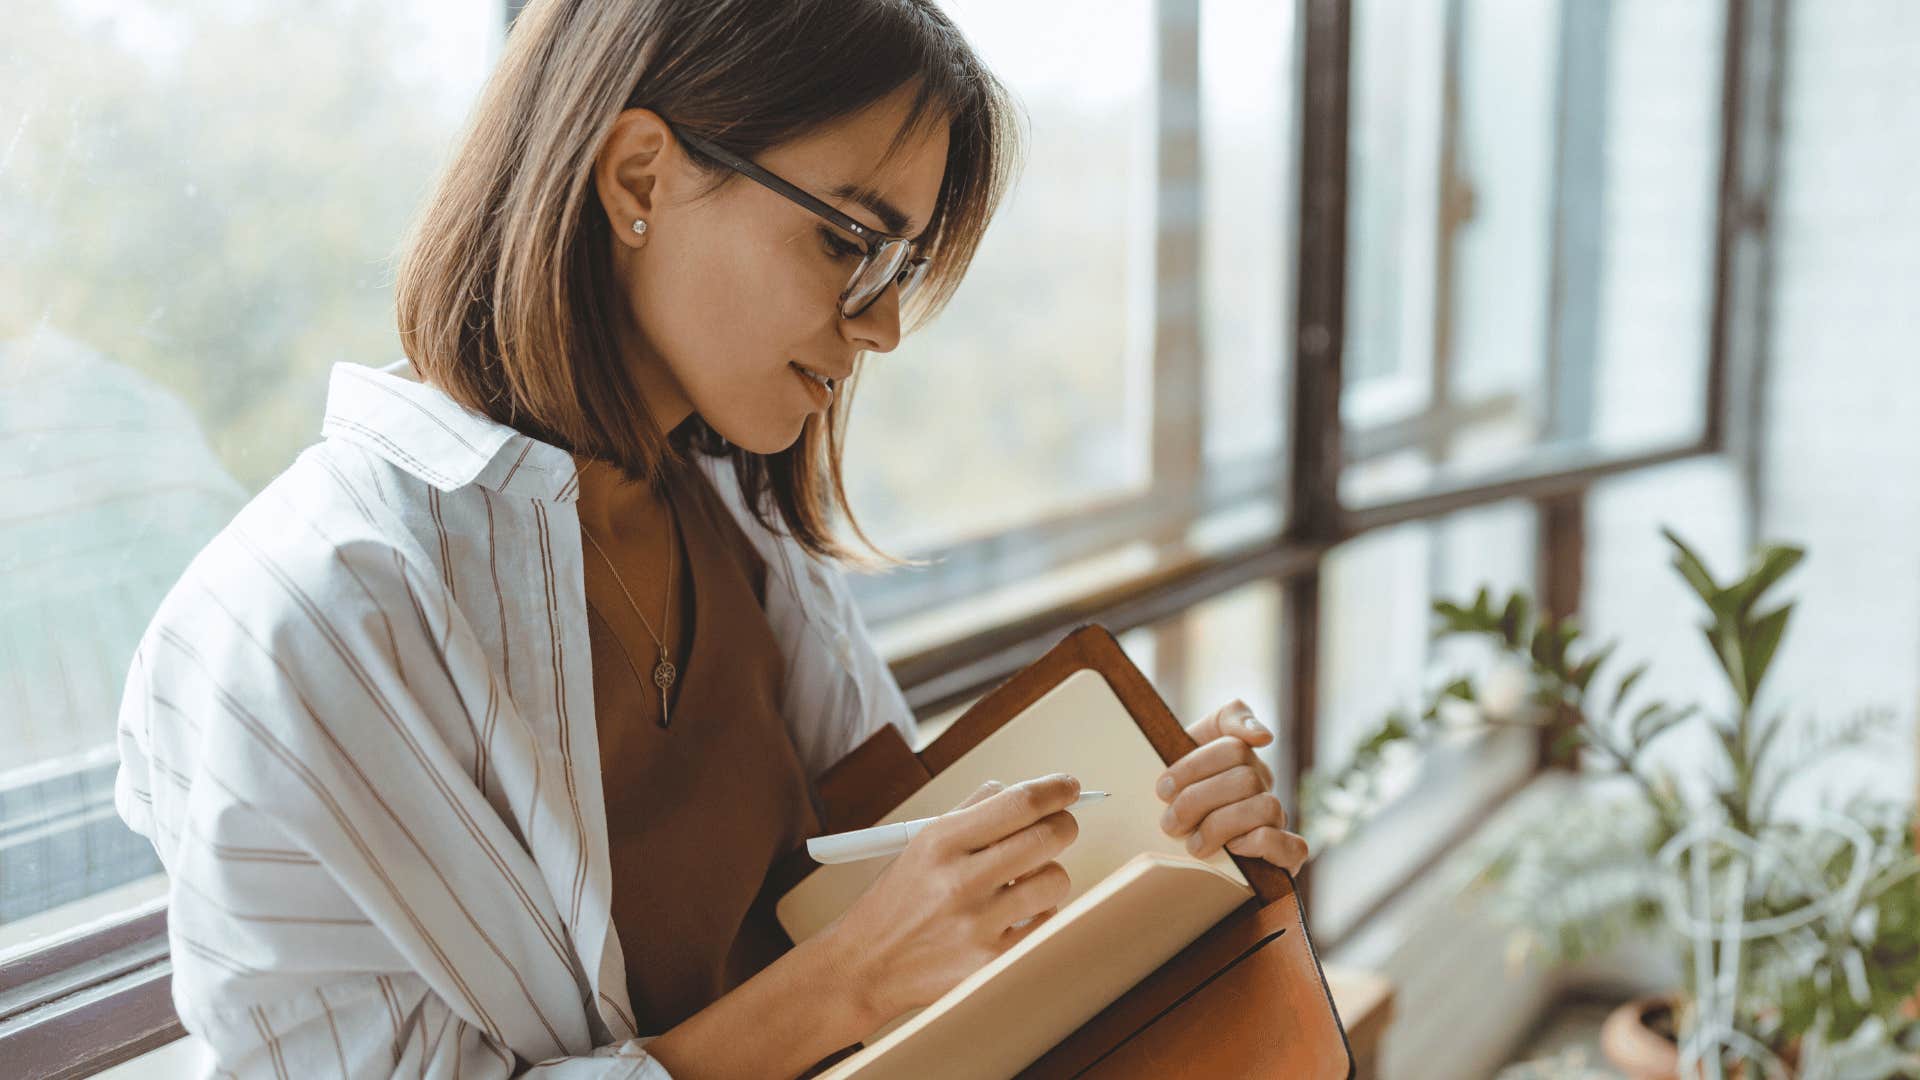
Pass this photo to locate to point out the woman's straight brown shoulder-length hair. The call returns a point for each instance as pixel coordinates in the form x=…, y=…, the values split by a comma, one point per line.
x=506, y=280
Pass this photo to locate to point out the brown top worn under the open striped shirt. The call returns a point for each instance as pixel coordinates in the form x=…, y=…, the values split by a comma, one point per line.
x=696, y=812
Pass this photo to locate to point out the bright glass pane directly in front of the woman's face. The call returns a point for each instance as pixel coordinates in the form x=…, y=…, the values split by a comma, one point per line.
x=1022, y=399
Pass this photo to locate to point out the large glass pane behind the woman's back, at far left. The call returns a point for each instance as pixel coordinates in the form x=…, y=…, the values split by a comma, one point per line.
x=197, y=205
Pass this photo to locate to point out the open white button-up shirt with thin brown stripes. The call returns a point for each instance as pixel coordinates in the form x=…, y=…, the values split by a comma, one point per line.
x=360, y=733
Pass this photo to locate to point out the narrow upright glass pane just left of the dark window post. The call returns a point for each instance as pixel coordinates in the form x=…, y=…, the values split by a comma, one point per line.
x=1247, y=199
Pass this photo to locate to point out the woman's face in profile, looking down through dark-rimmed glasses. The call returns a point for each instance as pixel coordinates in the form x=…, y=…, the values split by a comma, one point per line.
x=725, y=295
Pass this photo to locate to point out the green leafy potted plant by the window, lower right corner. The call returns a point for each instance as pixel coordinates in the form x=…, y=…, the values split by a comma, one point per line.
x=1798, y=931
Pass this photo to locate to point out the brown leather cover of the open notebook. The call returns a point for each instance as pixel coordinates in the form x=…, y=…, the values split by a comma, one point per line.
x=1243, y=1000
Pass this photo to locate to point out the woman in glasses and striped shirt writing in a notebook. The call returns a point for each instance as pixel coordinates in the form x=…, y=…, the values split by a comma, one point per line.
x=469, y=743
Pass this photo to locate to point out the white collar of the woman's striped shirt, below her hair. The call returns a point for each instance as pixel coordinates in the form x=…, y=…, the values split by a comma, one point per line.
x=423, y=431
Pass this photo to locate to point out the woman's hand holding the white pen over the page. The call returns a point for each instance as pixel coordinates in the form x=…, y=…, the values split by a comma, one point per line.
x=949, y=902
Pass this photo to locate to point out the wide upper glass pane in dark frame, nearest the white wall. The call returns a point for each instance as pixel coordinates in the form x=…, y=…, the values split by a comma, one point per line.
x=1531, y=232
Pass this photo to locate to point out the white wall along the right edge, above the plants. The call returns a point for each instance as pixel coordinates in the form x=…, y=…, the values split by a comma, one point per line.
x=1842, y=443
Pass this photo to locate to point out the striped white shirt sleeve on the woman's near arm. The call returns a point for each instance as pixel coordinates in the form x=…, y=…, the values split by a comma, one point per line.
x=327, y=906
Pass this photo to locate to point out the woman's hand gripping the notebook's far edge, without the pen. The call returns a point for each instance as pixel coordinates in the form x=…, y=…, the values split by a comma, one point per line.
x=1222, y=795
